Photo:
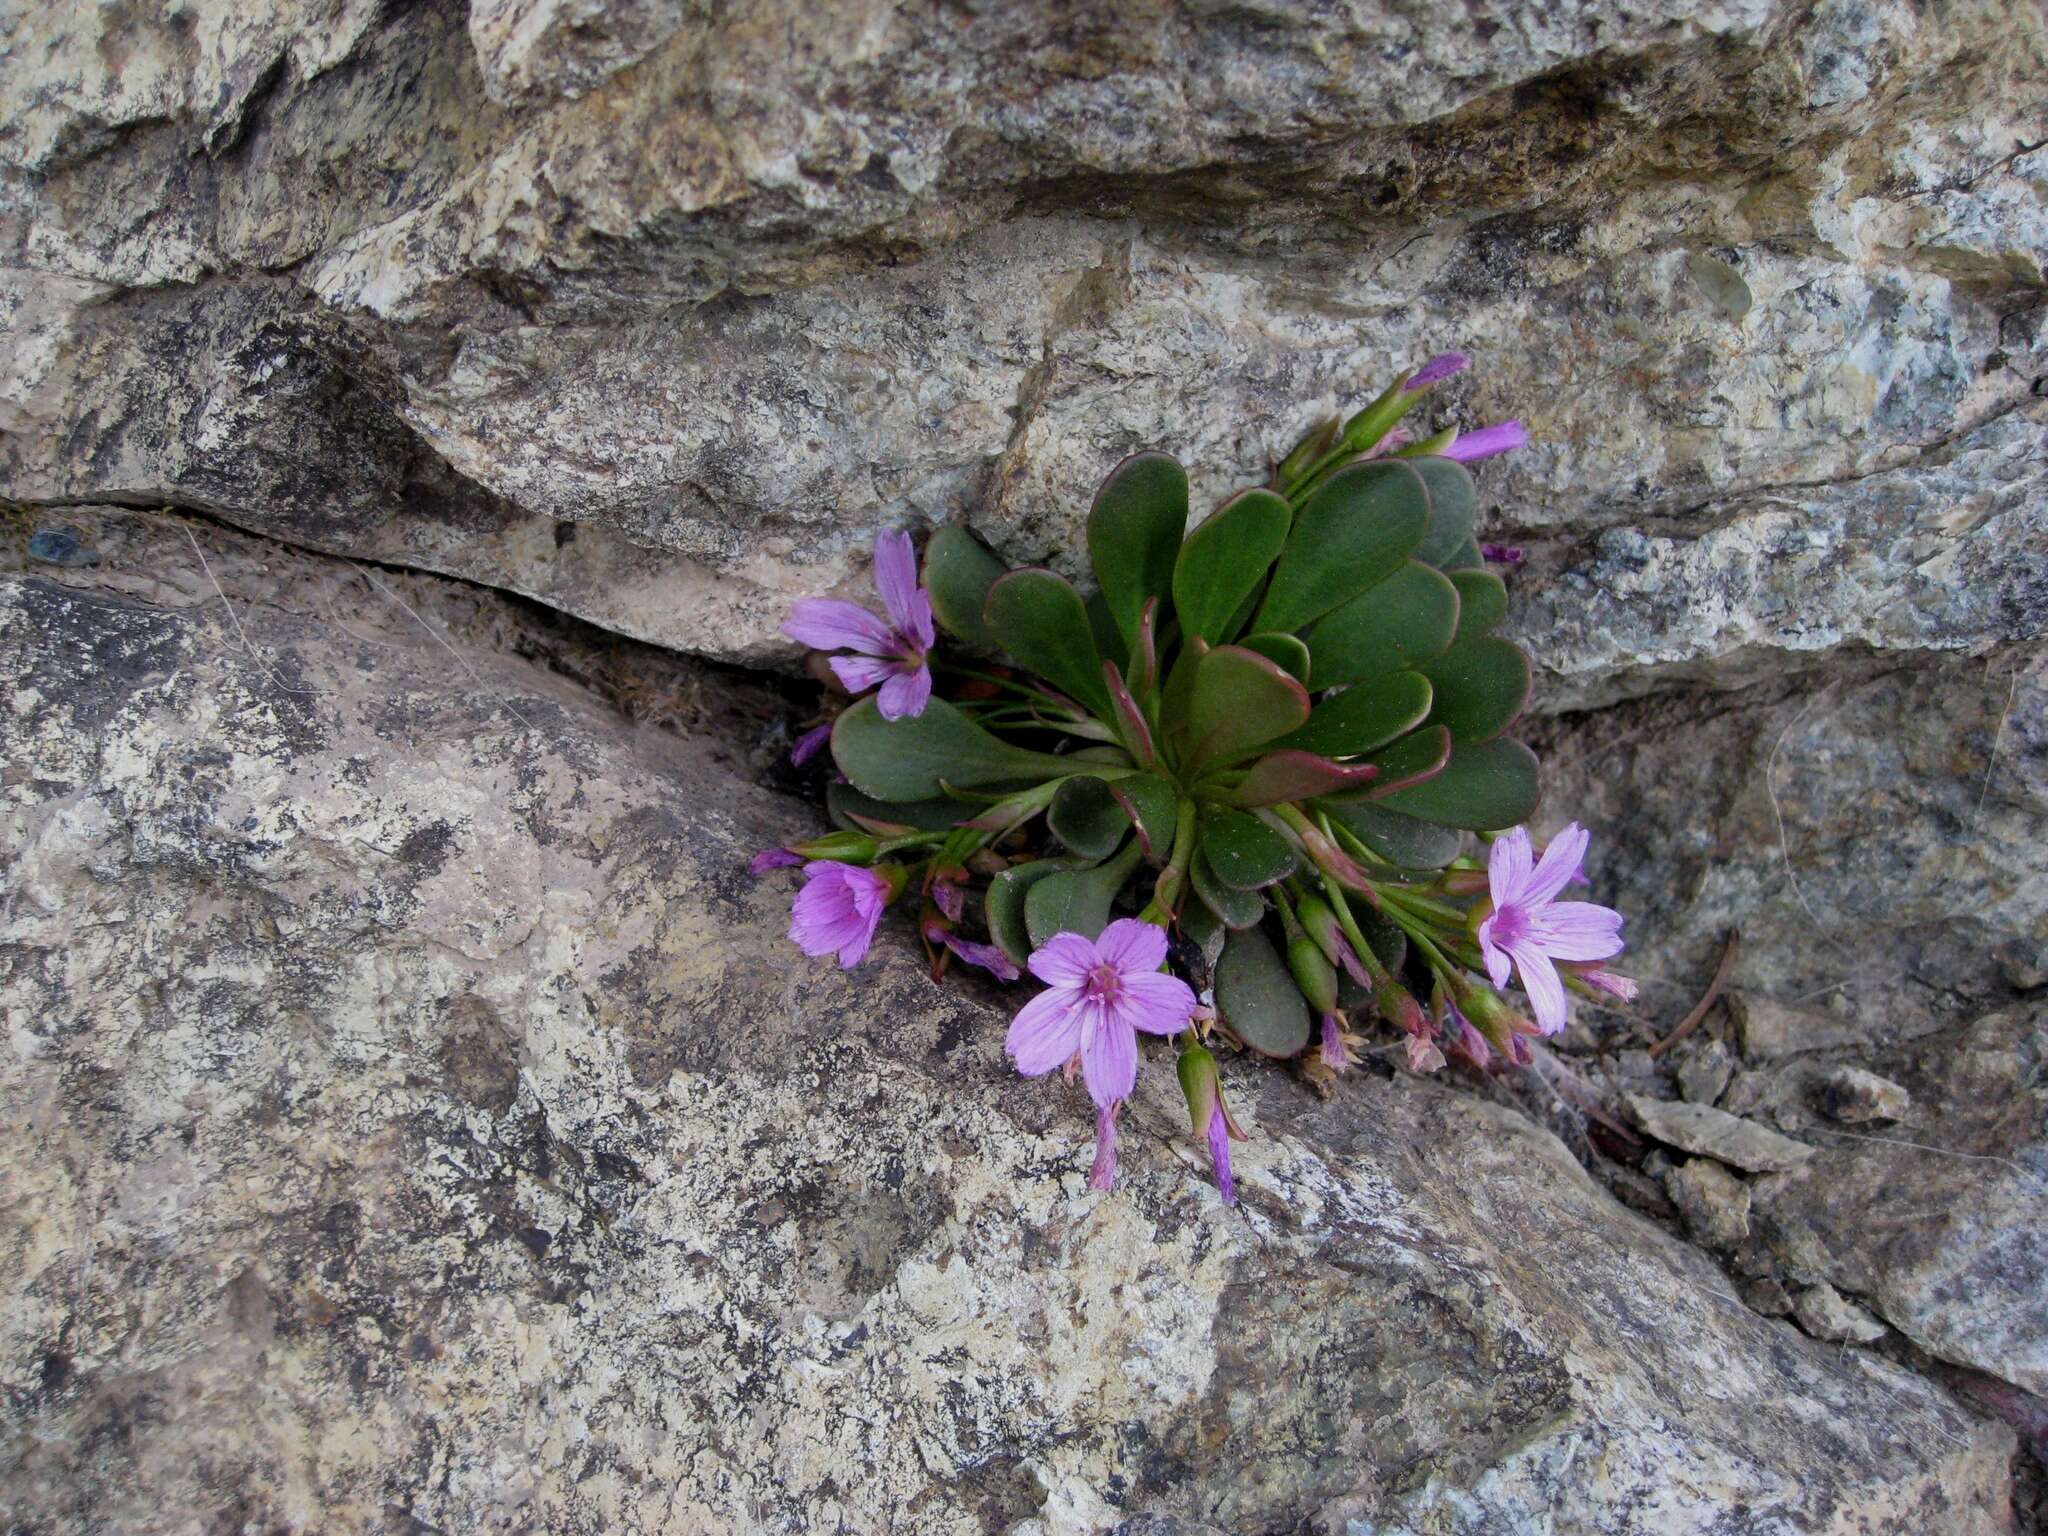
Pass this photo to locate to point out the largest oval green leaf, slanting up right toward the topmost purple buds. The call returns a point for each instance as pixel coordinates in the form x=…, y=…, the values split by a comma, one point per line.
x=1357, y=531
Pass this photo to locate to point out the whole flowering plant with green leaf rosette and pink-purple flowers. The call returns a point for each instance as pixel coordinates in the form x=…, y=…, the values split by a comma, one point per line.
x=1256, y=790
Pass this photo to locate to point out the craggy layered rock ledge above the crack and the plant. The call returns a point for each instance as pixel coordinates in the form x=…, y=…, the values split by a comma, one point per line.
x=656, y=312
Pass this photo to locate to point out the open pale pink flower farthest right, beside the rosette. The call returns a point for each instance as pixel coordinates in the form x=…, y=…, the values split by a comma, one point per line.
x=1531, y=929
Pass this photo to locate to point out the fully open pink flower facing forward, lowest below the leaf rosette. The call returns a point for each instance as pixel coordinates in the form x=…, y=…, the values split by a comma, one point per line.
x=1099, y=994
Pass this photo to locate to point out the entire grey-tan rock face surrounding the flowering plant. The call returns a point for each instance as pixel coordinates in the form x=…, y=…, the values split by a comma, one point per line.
x=415, y=1117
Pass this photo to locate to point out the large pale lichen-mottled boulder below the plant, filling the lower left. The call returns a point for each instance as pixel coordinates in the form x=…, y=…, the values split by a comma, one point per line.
x=415, y=1119
